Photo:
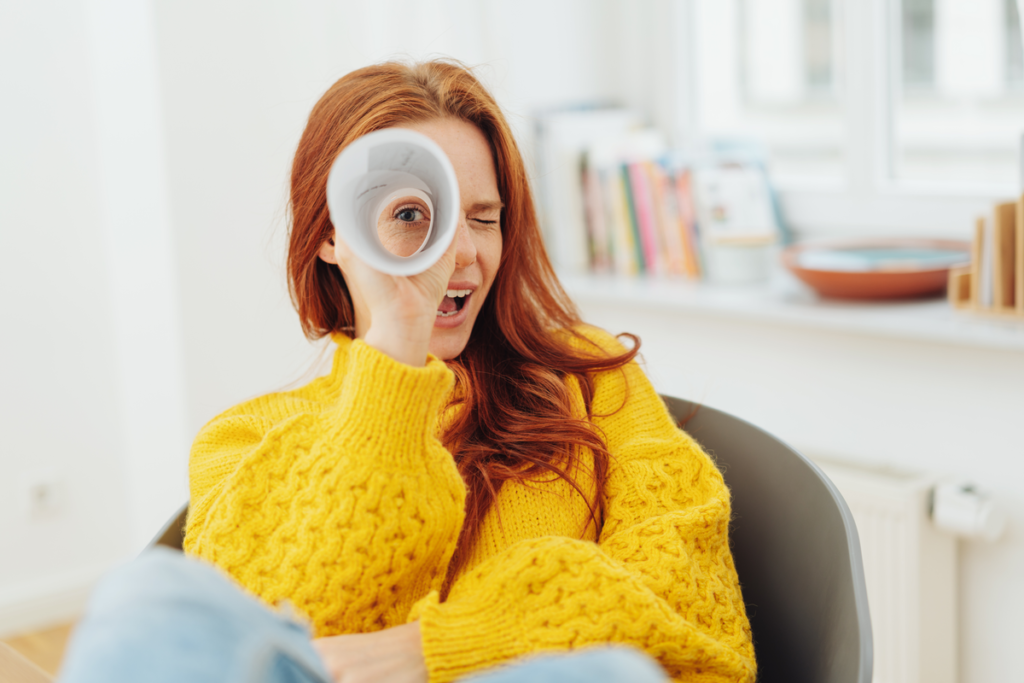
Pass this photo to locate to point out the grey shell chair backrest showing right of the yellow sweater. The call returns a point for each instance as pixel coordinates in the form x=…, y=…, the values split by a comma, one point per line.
x=797, y=553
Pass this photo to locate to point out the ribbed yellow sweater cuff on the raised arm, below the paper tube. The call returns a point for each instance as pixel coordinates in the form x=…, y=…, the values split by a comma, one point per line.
x=385, y=402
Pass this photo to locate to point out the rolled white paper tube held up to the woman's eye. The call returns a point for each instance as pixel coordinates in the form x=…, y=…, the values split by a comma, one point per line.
x=375, y=167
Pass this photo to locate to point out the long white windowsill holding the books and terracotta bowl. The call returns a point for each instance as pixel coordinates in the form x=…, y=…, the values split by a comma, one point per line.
x=786, y=302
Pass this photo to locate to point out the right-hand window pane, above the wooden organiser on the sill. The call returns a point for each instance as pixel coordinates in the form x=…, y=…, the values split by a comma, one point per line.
x=959, y=113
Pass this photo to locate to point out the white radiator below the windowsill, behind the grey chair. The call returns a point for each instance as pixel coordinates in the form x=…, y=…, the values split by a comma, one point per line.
x=911, y=570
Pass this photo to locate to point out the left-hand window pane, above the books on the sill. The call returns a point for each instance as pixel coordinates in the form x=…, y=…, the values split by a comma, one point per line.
x=773, y=71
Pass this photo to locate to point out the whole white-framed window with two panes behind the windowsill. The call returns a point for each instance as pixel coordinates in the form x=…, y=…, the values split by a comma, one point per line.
x=876, y=115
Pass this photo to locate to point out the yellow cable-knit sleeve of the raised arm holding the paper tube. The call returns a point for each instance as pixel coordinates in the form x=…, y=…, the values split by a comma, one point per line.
x=346, y=509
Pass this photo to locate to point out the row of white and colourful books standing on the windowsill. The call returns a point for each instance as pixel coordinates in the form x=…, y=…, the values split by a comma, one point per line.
x=615, y=199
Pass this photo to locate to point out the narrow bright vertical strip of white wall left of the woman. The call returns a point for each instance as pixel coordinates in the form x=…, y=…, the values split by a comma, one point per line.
x=141, y=264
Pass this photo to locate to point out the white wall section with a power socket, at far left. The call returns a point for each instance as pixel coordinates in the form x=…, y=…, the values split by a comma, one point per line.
x=60, y=416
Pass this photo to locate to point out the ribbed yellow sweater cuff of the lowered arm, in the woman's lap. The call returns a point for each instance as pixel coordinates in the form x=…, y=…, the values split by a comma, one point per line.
x=462, y=638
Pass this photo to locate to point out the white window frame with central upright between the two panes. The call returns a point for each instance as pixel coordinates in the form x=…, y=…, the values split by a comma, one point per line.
x=871, y=201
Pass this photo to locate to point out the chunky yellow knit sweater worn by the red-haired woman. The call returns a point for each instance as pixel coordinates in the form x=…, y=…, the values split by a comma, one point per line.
x=339, y=498
